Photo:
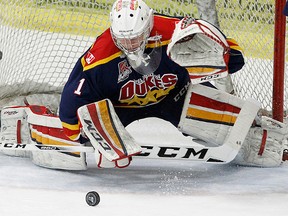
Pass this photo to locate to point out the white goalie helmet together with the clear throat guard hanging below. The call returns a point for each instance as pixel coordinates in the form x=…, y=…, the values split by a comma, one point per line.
x=131, y=24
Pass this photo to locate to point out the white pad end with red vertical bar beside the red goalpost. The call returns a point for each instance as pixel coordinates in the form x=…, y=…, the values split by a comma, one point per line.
x=263, y=145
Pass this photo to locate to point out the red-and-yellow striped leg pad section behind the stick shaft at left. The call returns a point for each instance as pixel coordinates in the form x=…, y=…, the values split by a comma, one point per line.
x=47, y=129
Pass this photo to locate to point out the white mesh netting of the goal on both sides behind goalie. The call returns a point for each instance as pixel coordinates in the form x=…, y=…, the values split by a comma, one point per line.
x=40, y=40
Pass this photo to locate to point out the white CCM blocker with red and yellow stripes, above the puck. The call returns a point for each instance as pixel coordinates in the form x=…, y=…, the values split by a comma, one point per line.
x=105, y=131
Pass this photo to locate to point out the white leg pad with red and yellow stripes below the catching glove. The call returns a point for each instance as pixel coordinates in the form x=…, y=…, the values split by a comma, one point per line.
x=209, y=114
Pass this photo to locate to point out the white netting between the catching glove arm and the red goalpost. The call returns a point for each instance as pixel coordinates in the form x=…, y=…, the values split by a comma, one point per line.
x=251, y=23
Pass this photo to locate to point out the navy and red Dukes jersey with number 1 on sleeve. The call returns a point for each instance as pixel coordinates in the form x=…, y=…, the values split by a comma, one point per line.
x=103, y=72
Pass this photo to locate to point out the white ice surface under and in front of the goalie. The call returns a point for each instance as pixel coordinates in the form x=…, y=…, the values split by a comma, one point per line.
x=145, y=188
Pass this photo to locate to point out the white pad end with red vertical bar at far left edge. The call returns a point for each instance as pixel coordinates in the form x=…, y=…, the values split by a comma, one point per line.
x=14, y=129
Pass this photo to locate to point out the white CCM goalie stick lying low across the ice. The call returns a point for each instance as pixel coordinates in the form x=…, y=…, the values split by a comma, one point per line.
x=194, y=152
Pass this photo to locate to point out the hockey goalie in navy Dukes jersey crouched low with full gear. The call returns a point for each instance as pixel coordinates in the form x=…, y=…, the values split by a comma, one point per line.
x=148, y=65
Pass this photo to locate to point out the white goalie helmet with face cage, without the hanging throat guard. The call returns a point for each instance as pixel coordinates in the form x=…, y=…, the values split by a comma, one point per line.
x=131, y=23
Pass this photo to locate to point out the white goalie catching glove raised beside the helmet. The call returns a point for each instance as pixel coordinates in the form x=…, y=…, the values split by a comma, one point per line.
x=201, y=48
